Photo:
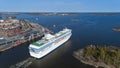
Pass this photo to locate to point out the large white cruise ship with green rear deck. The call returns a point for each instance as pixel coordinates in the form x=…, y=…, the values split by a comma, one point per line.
x=48, y=43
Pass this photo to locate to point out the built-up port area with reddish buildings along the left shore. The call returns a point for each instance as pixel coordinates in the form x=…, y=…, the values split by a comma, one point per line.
x=14, y=32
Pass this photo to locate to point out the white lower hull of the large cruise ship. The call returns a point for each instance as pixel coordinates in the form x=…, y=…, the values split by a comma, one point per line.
x=47, y=50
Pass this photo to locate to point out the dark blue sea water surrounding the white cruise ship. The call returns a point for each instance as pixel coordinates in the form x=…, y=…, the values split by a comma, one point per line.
x=89, y=29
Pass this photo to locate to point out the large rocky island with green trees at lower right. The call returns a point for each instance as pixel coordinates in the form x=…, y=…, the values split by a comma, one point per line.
x=99, y=56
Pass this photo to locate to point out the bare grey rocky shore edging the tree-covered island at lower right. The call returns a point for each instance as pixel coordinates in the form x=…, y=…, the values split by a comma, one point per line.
x=79, y=55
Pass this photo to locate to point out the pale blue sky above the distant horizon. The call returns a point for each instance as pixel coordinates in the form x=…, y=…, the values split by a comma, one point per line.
x=59, y=5
